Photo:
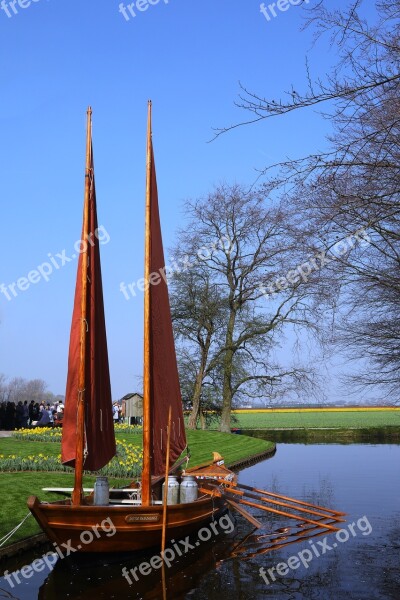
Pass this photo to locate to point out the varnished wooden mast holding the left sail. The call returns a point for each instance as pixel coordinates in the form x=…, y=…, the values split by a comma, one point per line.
x=77, y=494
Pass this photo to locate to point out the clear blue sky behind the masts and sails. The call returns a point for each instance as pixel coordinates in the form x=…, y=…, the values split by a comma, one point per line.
x=58, y=56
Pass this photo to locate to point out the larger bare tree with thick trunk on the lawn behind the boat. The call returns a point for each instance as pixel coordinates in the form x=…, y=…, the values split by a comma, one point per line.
x=244, y=246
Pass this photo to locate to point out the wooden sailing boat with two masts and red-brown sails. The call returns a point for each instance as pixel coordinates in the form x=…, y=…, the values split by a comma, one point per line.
x=138, y=516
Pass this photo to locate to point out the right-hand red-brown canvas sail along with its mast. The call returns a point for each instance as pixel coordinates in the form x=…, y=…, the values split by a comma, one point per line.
x=164, y=388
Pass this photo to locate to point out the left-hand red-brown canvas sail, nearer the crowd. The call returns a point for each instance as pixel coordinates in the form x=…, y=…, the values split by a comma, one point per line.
x=88, y=327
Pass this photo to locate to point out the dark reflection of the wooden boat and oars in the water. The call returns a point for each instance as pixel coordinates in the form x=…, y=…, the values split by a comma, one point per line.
x=89, y=578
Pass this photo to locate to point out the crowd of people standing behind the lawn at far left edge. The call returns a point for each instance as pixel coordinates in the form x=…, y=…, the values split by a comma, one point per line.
x=22, y=415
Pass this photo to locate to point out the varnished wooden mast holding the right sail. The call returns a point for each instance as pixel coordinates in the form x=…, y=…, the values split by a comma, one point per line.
x=147, y=425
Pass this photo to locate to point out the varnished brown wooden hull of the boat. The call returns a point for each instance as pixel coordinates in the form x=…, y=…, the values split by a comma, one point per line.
x=89, y=528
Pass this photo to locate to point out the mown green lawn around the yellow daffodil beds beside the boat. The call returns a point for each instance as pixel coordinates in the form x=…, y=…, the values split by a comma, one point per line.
x=16, y=487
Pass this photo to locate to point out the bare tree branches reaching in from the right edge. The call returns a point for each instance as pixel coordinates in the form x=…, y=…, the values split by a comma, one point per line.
x=355, y=186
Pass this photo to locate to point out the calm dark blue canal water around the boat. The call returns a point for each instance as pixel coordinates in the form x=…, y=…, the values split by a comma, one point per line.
x=359, y=479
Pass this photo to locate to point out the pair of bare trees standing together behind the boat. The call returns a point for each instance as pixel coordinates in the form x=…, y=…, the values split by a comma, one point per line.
x=228, y=323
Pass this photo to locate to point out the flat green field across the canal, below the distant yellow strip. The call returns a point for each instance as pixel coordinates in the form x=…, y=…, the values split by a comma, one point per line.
x=361, y=418
